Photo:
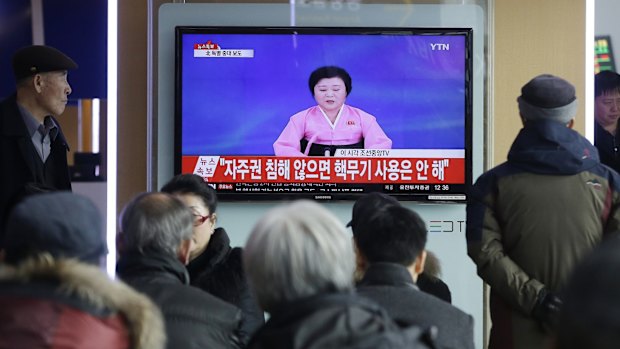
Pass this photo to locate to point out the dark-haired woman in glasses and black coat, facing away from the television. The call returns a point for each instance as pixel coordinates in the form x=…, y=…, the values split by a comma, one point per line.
x=214, y=265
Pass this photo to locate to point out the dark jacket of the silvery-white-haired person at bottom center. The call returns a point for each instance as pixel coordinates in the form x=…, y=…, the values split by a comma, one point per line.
x=335, y=321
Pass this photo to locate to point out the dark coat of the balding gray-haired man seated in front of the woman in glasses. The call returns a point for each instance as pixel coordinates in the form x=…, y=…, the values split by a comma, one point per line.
x=194, y=318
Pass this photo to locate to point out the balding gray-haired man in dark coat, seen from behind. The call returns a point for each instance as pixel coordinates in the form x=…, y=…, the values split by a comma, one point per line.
x=154, y=246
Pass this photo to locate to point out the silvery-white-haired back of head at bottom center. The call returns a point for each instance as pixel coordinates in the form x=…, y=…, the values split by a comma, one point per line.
x=298, y=250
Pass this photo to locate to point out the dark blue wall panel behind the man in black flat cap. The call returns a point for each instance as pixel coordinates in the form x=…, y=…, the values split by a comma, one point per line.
x=76, y=27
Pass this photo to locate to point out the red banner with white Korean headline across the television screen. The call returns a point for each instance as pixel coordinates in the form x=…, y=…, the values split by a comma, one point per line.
x=350, y=166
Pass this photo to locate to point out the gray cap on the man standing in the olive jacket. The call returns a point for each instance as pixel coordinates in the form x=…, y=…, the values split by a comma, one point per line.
x=548, y=97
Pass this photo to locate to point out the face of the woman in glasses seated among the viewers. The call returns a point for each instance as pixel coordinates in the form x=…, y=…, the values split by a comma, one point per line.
x=204, y=223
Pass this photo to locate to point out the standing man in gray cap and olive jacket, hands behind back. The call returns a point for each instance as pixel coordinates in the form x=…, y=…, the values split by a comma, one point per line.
x=531, y=219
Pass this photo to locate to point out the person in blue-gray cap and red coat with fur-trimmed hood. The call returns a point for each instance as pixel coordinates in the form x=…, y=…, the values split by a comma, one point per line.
x=52, y=291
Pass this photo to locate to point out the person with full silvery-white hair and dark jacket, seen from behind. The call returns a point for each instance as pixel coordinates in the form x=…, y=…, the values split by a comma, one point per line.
x=300, y=263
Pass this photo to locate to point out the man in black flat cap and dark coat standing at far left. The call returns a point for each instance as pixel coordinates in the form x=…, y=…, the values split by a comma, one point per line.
x=33, y=149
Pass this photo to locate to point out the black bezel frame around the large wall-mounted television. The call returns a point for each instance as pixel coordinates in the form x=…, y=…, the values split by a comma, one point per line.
x=273, y=196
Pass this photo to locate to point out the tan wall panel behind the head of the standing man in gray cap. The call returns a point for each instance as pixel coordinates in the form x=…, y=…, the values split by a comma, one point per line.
x=532, y=37
